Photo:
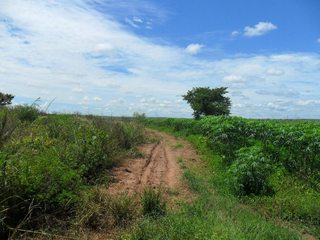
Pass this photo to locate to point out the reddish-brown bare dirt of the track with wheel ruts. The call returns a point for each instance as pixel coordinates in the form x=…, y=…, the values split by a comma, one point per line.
x=159, y=168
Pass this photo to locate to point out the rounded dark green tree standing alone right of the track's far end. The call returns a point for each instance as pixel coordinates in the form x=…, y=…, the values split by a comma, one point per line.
x=208, y=101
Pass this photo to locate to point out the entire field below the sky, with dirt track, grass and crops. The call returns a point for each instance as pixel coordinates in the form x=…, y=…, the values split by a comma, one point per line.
x=90, y=177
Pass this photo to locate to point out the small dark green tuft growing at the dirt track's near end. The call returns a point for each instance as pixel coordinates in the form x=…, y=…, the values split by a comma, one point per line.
x=152, y=203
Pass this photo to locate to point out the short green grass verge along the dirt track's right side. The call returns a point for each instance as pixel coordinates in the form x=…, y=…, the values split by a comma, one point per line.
x=215, y=214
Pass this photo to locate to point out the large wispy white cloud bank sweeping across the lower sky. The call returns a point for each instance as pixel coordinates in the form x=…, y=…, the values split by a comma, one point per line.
x=66, y=49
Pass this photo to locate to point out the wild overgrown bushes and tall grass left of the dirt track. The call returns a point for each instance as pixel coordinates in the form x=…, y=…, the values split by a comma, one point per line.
x=49, y=162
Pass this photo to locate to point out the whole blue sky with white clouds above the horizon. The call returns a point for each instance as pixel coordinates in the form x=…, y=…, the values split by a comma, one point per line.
x=117, y=57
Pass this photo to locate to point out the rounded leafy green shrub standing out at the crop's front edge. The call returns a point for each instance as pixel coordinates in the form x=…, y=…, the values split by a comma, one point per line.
x=250, y=172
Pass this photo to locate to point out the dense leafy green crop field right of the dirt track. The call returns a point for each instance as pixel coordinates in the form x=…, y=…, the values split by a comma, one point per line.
x=272, y=165
